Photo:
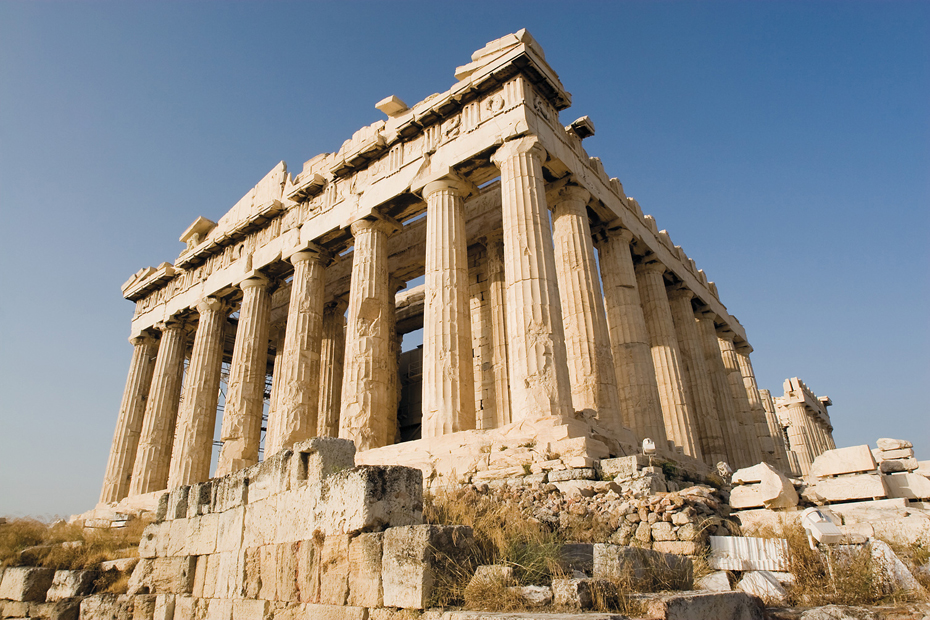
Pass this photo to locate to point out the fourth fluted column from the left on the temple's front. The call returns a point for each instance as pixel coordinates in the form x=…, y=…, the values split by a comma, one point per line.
x=242, y=415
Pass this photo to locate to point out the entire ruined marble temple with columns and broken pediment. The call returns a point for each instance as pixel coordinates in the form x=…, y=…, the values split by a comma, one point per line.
x=556, y=317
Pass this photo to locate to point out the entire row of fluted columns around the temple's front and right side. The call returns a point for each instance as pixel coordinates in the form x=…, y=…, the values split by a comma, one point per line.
x=635, y=353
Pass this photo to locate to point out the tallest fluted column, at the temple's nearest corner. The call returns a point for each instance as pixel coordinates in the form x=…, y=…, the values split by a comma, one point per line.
x=539, y=384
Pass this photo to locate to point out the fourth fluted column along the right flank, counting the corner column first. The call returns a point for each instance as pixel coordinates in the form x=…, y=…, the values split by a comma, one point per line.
x=666, y=357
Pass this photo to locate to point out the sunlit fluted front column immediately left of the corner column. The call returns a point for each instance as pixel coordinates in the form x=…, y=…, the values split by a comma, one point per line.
x=448, y=369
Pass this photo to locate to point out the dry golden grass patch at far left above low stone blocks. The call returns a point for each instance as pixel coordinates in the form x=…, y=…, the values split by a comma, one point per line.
x=29, y=542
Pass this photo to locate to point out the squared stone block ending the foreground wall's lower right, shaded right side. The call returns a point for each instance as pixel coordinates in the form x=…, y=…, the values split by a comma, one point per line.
x=412, y=554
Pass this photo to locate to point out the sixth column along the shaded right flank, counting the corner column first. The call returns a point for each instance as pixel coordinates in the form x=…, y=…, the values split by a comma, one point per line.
x=734, y=444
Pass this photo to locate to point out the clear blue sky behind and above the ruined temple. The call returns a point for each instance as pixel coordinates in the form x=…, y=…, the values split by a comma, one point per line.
x=785, y=146
